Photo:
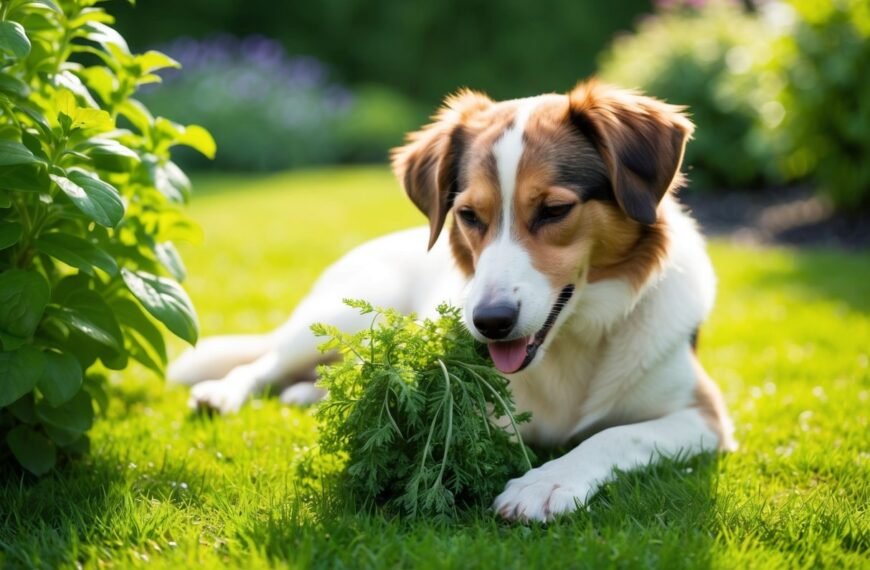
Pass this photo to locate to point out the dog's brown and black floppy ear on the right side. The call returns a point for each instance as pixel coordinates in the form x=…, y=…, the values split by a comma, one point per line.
x=641, y=139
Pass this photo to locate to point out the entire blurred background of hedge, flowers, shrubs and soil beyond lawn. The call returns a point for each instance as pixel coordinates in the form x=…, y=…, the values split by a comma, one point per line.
x=778, y=89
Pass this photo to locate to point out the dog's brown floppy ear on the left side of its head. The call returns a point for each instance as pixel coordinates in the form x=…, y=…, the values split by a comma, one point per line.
x=429, y=163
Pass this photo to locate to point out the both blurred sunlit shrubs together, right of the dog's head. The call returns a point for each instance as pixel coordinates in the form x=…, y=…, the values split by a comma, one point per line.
x=777, y=92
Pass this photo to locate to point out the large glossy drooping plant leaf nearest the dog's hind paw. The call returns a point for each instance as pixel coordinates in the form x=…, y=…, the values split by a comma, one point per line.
x=166, y=300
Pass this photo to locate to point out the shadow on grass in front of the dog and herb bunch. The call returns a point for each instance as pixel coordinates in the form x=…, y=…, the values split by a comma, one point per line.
x=663, y=516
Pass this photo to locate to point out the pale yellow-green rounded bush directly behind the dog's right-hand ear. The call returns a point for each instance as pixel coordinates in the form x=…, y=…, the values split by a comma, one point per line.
x=703, y=58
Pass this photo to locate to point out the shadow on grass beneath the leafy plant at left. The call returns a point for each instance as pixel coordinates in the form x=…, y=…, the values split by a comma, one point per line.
x=91, y=504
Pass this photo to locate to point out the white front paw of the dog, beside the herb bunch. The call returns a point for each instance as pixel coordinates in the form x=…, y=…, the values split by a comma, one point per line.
x=542, y=494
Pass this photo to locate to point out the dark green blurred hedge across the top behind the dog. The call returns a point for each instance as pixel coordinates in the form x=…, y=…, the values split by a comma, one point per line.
x=422, y=50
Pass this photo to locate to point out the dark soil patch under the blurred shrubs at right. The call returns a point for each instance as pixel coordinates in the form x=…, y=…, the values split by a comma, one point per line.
x=778, y=216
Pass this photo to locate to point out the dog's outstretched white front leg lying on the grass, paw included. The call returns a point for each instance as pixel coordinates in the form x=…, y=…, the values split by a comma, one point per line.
x=564, y=484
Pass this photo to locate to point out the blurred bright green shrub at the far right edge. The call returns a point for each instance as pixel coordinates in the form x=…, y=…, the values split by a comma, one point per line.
x=821, y=129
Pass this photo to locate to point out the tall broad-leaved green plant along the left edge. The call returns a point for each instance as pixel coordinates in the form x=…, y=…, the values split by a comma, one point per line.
x=88, y=214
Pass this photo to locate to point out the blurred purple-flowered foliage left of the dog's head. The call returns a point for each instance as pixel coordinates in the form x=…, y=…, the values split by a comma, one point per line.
x=270, y=111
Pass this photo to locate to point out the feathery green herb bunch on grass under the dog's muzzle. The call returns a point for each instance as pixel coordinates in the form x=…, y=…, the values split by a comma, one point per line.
x=411, y=408
